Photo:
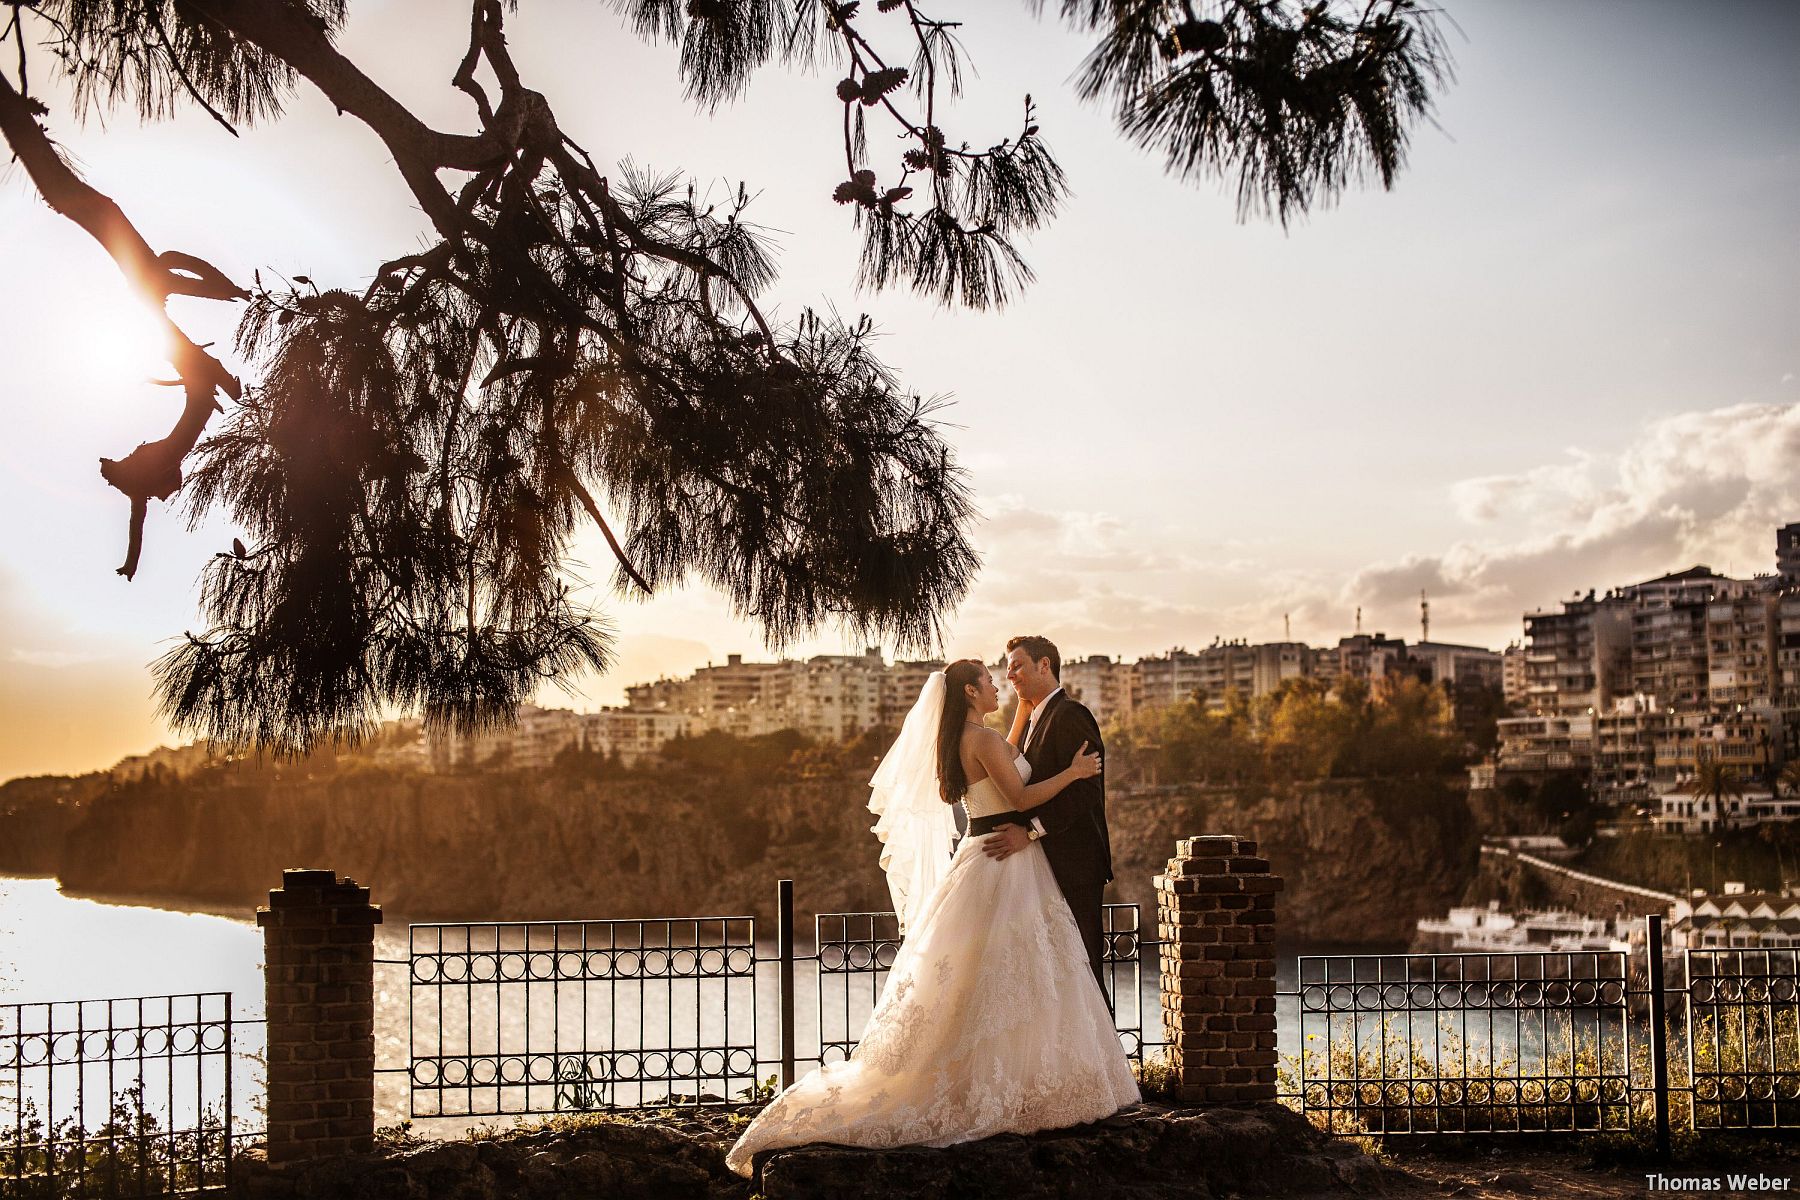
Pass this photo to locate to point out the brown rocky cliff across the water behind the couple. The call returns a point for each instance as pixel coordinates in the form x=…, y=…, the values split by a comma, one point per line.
x=1362, y=859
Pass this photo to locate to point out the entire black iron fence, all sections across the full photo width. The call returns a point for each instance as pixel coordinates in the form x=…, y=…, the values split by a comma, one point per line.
x=139, y=1097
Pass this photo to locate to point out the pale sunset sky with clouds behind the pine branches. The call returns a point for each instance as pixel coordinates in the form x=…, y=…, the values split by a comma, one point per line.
x=1560, y=355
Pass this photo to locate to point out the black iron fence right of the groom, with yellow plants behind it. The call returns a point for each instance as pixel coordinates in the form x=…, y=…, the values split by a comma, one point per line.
x=1542, y=1043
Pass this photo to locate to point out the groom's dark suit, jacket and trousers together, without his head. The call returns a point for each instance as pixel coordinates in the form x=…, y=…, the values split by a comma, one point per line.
x=1075, y=821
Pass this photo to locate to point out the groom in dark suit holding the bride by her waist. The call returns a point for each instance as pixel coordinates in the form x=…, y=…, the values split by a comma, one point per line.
x=1074, y=825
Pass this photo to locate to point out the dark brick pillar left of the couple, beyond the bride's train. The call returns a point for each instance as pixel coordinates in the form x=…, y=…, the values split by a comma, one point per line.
x=319, y=980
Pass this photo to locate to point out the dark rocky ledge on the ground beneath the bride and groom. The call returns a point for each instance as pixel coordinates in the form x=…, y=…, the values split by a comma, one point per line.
x=1147, y=1152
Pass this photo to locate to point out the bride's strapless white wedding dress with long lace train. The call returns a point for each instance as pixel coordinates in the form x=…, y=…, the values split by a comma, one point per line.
x=991, y=1023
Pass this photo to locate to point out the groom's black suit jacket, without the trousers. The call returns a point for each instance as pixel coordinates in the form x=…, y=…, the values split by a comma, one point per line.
x=1075, y=821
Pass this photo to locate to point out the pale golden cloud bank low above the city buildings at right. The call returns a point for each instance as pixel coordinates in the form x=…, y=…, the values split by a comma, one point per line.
x=1705, y=487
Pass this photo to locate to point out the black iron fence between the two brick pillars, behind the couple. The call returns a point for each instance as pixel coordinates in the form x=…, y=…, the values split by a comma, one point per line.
x=530, y=1017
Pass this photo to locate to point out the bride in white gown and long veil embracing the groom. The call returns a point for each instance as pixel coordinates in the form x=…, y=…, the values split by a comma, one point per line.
x=991, y=1021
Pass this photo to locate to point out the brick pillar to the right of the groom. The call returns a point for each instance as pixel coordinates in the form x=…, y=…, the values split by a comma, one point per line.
x=1216, y=917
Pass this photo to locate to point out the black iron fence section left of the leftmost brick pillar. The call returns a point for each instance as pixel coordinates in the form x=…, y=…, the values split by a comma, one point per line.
x=121, y=1098
